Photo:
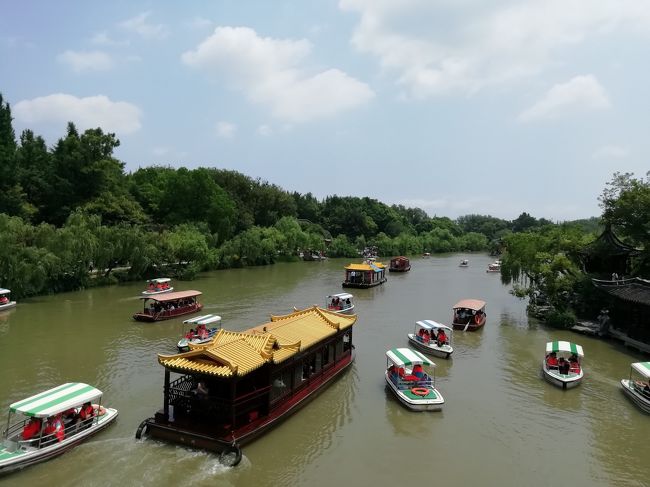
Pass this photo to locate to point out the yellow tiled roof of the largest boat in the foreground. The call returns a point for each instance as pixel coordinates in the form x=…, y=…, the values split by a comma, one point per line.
x=233, y=353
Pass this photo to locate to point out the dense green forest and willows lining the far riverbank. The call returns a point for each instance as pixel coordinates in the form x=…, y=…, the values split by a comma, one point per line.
x=71, y=217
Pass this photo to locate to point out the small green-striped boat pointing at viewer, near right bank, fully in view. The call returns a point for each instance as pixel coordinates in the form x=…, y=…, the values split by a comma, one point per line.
x=562, y=365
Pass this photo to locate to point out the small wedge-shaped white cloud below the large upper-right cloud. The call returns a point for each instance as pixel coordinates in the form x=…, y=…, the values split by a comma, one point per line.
x=578, y=94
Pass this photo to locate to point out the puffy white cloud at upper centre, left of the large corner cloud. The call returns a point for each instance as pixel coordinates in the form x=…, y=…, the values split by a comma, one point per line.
x=272, y=72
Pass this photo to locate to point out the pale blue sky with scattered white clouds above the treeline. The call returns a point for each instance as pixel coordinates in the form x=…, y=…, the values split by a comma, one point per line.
x=453, y=106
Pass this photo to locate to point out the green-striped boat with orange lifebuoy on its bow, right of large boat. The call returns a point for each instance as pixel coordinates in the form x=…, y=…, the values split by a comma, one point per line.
x=409, y=382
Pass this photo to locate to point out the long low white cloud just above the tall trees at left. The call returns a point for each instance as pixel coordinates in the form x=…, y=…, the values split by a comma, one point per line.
x=90, y=112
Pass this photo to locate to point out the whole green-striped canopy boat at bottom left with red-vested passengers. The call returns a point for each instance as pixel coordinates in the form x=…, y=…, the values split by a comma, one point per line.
x=50, y=423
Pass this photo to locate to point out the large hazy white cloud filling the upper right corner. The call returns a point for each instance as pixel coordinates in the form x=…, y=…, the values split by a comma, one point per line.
x=435, y=48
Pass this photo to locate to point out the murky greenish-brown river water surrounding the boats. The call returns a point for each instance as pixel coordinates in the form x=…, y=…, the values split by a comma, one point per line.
x=501, y=424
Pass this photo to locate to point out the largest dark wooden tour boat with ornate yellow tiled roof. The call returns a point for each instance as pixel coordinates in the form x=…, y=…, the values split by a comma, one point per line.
x=221, y=395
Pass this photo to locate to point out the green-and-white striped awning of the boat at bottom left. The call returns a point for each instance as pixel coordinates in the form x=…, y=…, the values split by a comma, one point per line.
x=56, y=400
